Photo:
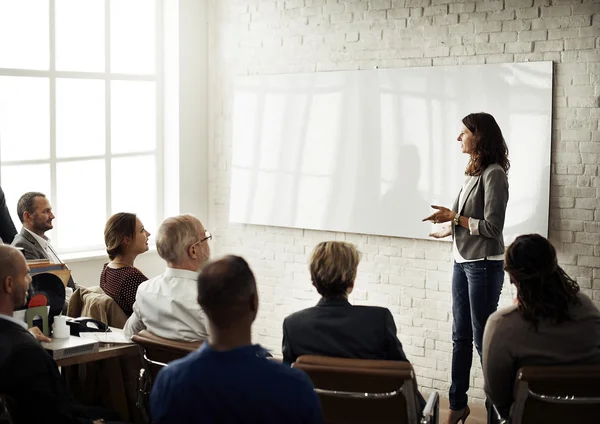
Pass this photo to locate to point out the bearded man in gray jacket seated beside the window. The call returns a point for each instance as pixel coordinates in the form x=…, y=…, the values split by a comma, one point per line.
x=35, y=213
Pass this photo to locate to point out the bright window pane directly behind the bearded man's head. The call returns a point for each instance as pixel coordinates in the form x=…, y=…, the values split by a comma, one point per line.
x=16, y=180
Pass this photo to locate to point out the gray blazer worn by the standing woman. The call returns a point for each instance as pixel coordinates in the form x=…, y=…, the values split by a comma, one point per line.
x=485, y=200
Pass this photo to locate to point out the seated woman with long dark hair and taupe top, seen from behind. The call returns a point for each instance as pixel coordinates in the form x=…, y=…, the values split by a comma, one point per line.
x=552, y=322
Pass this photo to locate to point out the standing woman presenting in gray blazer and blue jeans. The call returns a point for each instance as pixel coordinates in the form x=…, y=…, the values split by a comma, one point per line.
x=477, y=221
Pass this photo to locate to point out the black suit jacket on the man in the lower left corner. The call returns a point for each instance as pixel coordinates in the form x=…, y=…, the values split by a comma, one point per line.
x=30, y=377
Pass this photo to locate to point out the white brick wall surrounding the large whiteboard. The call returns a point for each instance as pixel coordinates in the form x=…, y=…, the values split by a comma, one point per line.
x=411, y=277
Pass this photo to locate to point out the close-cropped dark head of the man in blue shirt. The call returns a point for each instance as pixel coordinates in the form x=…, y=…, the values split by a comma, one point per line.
x=225, y=287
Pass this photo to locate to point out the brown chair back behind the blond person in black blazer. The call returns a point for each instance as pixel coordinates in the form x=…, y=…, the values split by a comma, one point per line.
x=361, y=390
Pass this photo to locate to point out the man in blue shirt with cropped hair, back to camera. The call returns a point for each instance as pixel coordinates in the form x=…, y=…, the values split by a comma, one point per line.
x=228, y=380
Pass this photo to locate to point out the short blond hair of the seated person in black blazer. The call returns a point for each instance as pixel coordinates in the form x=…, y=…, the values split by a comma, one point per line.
x=333, y=266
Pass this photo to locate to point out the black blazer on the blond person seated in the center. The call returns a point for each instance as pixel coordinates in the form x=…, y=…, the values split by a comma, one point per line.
x=336, y=328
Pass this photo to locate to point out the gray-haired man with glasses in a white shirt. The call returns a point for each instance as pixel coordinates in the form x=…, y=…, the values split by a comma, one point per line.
x=166, y=305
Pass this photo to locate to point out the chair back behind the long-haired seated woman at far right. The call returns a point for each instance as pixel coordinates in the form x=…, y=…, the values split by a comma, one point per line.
x=560, y=394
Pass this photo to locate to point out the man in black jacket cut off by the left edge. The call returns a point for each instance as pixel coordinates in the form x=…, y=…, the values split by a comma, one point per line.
x=28, y=375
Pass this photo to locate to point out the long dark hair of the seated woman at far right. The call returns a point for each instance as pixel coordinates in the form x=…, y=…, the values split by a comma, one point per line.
x=544, y=290
